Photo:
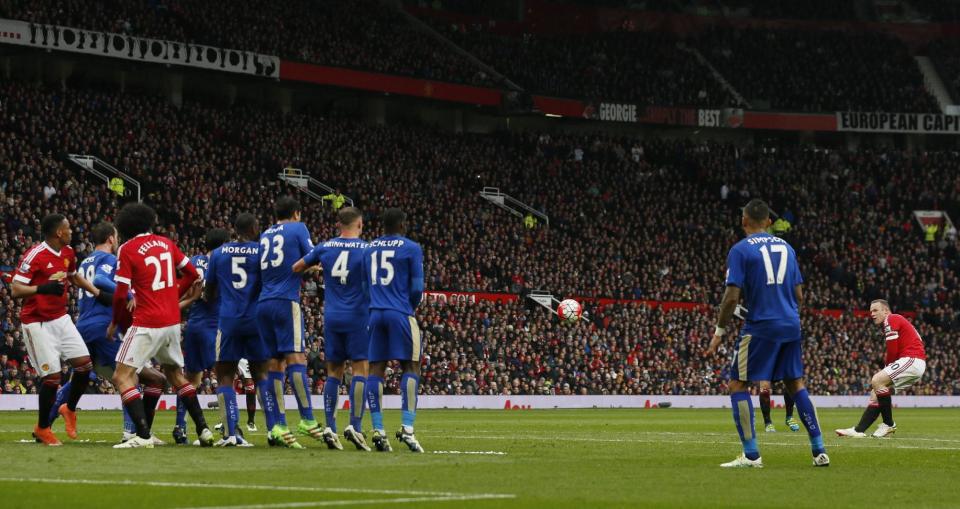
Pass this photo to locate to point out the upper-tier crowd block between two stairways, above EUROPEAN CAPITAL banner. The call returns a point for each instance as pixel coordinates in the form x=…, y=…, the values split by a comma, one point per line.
x=805, y=70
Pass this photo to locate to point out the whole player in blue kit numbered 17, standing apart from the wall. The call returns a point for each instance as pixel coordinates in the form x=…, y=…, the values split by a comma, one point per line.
x=764, y=268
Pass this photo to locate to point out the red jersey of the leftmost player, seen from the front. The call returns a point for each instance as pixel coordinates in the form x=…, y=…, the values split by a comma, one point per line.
x=42, y=264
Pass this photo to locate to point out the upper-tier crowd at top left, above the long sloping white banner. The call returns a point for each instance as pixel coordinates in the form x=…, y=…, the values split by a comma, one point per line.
x=359, y=34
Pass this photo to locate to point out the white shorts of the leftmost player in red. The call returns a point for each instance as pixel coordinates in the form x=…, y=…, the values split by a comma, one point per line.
x=49, y=343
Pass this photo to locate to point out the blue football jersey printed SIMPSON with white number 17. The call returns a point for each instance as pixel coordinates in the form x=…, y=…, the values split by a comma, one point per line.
x=765, y=269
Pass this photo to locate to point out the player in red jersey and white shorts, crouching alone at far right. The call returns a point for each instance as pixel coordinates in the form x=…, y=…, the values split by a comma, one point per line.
x=906, y=361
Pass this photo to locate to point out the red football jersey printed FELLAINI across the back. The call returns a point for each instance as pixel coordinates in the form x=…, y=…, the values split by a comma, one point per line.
x=148, y=263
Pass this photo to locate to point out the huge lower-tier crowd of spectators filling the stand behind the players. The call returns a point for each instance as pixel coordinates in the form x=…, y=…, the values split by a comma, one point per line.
x=629, y=218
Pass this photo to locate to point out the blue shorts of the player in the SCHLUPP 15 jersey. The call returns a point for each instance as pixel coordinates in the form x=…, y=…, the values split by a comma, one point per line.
x=394, y=336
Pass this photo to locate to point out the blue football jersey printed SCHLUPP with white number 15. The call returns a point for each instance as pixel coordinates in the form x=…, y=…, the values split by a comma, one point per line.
x=393, y=269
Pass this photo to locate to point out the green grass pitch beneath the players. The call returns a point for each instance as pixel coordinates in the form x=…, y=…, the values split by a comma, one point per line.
x=553, y=458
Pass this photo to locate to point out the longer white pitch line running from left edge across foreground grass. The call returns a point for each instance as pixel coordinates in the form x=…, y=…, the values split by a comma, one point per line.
x=164, y=484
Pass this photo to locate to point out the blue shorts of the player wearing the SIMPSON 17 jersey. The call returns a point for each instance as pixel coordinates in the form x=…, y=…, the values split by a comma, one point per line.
x=756, y=359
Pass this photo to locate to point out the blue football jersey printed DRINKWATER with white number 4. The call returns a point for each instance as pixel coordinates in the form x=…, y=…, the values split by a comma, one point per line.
x=342, y=262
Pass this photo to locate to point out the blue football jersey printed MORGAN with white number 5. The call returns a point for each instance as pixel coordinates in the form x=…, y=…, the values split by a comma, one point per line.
x=235, y=273
